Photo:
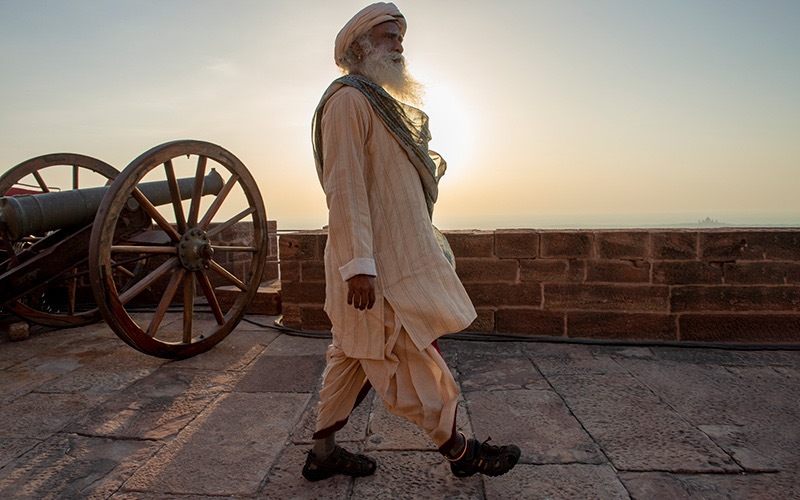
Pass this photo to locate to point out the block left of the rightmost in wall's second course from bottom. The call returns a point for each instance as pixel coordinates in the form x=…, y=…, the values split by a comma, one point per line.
x=616, y=297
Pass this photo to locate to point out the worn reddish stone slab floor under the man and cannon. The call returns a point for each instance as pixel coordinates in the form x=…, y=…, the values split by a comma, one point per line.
x=83, y=415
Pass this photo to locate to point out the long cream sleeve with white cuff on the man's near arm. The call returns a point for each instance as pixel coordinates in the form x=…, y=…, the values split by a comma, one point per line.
x=345, y=128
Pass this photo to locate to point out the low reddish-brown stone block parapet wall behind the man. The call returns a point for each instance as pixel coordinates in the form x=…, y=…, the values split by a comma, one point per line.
x=718, y=285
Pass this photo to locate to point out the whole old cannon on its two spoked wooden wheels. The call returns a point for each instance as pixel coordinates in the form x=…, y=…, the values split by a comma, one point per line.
x=146, y=241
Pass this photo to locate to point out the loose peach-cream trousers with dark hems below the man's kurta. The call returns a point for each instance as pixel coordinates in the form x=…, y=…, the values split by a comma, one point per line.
x=415, y=385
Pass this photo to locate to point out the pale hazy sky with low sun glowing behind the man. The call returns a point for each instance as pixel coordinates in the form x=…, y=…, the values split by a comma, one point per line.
x=551, y=114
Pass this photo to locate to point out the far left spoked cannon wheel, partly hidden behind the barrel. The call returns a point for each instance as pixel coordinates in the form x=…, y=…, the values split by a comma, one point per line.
x=44, y=174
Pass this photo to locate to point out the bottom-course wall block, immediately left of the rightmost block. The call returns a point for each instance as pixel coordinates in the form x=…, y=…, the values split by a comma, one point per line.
x=613, y=325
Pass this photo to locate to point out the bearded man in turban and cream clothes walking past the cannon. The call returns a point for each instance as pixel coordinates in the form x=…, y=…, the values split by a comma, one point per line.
x=390, y=290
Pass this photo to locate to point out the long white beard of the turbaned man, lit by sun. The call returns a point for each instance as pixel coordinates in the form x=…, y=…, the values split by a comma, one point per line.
x=388, y=69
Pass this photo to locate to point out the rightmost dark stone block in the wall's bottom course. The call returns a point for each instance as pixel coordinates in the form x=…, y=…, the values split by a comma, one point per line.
x=741, y=327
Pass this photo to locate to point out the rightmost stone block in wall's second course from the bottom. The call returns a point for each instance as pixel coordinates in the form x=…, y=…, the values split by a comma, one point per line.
x=735, y=298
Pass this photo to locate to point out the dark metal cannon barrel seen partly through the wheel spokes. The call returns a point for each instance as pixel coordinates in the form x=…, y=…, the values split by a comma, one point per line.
x=21, y=216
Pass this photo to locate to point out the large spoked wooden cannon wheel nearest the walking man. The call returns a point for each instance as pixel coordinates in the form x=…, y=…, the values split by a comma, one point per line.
x=188, y=257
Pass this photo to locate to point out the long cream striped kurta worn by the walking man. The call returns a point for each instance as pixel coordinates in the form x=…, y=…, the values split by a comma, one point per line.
x=379, y=225
